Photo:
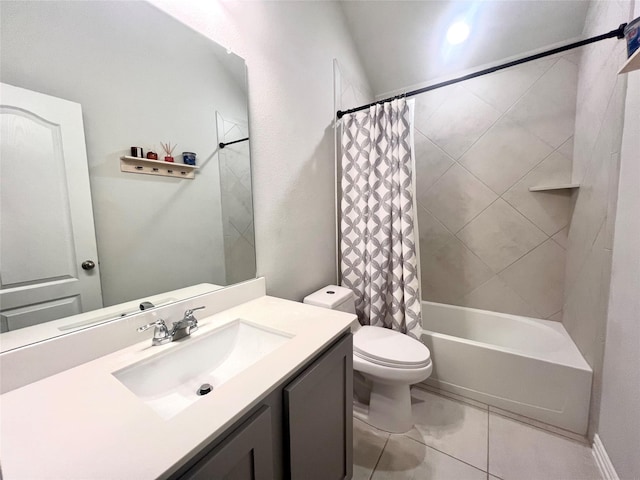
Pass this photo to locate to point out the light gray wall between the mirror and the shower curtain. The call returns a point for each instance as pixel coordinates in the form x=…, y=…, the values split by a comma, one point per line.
x=289, y=48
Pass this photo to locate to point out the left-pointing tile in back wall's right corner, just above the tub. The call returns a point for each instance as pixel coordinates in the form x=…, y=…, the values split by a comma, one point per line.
x=538, y=278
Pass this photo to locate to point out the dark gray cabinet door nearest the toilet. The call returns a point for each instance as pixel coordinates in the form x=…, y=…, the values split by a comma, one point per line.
x=319, y=417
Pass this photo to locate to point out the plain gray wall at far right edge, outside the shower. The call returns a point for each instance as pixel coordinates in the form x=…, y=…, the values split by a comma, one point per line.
x=619, y=425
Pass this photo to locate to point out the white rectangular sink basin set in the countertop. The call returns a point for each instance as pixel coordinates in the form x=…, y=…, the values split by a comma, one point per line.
x=169, y=382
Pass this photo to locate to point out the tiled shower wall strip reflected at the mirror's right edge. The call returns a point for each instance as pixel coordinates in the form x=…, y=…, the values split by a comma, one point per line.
x=237, y=207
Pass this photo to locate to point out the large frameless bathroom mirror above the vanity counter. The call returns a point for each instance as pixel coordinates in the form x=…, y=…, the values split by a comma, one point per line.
x=140, y=78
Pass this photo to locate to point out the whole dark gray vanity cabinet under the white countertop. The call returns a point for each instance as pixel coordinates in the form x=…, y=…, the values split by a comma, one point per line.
x=301, y=431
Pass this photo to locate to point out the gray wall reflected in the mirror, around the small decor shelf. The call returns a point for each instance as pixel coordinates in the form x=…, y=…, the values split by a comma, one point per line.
x=143, y=78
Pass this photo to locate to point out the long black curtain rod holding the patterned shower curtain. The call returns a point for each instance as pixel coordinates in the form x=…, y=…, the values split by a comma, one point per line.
x=618, y=33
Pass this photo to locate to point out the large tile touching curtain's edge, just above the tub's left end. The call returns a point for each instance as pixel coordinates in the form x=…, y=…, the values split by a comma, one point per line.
x=451, y=272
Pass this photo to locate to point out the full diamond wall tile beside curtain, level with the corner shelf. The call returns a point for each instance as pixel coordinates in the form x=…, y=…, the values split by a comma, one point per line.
x=457, y=197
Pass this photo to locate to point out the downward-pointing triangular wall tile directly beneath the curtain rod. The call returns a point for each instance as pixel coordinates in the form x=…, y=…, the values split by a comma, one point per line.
x=502, y=89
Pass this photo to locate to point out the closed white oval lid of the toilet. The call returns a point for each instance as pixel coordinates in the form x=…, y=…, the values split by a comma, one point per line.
x=390, y=348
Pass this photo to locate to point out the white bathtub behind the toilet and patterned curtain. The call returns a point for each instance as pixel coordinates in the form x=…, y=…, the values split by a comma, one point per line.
x=524, y=365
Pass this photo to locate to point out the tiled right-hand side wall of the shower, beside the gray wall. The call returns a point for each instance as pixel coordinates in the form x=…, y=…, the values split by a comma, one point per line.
x=596, y=166
